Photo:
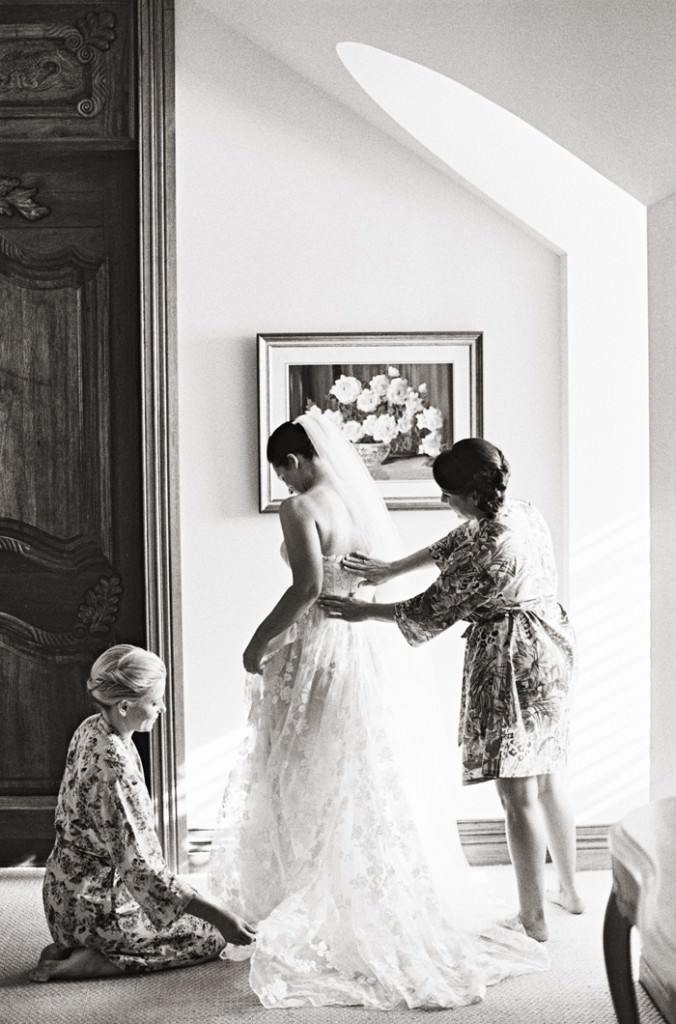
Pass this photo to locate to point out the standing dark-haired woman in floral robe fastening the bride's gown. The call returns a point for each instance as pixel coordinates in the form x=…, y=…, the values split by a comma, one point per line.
x=497, y=573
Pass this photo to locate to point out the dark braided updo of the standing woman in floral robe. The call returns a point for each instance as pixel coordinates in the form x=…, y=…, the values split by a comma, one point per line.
x=475, y=466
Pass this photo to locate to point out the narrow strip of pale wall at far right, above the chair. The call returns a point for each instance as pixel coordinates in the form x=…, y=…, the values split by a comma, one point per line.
x=662, y=291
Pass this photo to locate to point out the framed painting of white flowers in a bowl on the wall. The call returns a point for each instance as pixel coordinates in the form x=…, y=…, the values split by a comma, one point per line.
x=400, y=399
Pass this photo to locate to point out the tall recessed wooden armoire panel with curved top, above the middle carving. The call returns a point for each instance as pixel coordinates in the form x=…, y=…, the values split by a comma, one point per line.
x=54, y=380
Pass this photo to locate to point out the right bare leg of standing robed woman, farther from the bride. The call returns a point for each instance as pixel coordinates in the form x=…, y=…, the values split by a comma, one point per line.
x=560, y=824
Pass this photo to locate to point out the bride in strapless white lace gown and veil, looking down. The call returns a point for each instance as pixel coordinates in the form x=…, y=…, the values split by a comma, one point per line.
x=317, y=844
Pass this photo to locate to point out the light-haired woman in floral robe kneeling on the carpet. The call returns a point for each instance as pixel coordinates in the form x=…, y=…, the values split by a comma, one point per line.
x=111, y=902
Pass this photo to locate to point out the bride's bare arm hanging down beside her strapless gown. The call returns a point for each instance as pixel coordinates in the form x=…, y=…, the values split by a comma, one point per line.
x=305, y=554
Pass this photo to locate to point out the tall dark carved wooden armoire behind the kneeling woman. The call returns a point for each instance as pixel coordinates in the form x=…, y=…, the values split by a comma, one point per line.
x=86, y=387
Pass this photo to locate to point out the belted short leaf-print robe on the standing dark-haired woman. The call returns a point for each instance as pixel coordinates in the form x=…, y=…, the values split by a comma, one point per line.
x=499, y=575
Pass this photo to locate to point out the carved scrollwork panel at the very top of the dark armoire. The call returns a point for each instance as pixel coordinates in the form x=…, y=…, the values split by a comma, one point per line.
x=55, y=77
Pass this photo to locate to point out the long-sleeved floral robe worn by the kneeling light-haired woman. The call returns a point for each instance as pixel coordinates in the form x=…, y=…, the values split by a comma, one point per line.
x=107, y=885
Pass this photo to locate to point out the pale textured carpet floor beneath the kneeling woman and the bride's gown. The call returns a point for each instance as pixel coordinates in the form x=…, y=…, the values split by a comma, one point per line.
x=575, y=992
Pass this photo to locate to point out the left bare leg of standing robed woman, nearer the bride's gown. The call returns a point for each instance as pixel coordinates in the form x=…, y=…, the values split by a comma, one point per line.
x=526, y=838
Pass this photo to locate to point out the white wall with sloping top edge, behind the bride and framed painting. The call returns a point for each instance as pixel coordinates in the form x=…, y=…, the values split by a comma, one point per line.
x=294, y=216
